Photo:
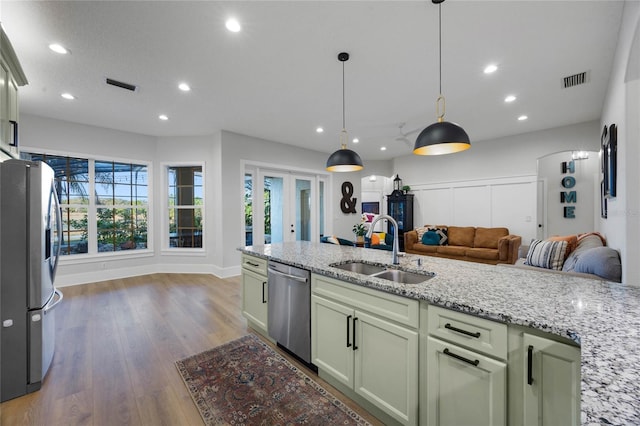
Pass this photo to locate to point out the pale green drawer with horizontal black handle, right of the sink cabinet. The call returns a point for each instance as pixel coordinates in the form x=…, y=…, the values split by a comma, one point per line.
x=478, y=334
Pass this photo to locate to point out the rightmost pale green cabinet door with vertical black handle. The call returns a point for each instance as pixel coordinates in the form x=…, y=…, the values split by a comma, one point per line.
x=552, y=382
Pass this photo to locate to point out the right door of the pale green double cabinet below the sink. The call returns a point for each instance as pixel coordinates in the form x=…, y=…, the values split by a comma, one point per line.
x=386, y=366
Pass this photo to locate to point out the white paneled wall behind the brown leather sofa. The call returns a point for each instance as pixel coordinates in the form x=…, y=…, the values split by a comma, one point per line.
x=491, y=184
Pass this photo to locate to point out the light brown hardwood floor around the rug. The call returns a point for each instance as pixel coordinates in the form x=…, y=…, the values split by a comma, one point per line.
x=116, y=345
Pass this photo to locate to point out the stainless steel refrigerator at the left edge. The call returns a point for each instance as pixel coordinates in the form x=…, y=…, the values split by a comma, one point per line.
x=30, y=231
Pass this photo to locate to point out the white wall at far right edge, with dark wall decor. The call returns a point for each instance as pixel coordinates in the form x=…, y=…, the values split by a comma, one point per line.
x=621, y=107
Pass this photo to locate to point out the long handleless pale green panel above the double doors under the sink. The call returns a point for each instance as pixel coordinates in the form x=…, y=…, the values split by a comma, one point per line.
x=400, y=309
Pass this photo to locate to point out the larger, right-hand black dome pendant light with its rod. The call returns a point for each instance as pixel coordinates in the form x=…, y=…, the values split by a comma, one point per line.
x=442, y=137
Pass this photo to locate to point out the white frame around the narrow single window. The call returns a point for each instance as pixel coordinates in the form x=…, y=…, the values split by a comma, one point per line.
x=165, y=222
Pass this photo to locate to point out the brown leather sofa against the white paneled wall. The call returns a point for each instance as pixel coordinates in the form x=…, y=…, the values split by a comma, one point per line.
x=483, y=245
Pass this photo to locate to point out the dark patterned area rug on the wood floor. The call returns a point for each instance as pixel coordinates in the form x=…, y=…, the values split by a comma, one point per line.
x=245, y=382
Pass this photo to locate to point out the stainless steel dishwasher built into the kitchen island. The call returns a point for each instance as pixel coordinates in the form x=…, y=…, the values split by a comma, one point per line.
x=289, y=313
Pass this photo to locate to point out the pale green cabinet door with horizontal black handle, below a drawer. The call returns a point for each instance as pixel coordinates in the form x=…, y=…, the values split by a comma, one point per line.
x=464, y=387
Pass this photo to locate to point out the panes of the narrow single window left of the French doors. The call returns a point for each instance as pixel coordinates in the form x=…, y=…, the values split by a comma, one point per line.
x=186, y=201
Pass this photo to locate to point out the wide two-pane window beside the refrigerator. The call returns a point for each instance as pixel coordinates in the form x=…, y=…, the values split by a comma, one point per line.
x=114, y=218
